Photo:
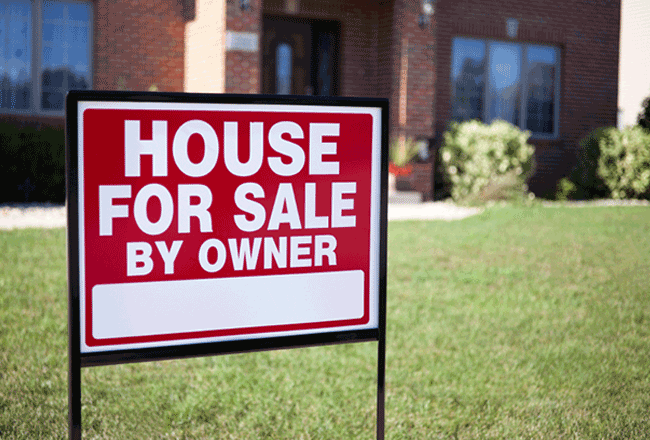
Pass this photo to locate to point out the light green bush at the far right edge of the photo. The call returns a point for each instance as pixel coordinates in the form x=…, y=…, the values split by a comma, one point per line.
x=624, y=162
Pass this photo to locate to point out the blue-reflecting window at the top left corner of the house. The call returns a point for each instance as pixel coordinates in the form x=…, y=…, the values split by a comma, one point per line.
x=45, y=51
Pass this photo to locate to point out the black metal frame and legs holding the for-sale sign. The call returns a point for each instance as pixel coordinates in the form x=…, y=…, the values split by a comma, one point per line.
x=78, y=360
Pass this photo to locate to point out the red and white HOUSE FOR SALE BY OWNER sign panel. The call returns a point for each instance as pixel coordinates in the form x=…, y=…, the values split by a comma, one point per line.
x=216, y=222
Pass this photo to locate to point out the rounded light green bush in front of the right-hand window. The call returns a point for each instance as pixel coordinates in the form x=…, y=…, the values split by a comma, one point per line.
x=487, y=162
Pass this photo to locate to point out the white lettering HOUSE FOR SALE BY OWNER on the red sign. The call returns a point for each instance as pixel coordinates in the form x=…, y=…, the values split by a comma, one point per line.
x=185, y=201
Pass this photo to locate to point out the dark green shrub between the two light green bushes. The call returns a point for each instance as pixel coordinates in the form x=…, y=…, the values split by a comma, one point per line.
x=584, y=176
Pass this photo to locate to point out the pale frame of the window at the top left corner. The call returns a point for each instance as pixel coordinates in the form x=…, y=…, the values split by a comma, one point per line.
x=36, y=108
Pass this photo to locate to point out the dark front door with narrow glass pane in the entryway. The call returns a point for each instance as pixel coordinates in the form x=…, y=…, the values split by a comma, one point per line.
x=300, y=57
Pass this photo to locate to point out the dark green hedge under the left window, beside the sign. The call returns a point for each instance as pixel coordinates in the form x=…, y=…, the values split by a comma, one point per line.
x=32, y=164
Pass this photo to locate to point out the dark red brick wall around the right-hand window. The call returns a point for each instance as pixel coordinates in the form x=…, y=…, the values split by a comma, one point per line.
x=587, y=34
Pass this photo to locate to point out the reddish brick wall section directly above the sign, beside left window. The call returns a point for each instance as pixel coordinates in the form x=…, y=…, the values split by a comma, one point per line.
x=139, y=43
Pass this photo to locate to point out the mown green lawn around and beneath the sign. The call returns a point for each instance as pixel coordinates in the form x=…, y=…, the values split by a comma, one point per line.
x=519, y=323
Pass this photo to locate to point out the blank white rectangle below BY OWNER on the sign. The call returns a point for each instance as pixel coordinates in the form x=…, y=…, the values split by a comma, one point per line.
x=165, y=307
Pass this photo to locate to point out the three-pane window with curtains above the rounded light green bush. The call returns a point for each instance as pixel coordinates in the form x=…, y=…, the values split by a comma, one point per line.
x=511, y=81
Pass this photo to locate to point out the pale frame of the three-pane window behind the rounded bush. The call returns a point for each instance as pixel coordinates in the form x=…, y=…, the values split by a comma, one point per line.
x=524, y=69
